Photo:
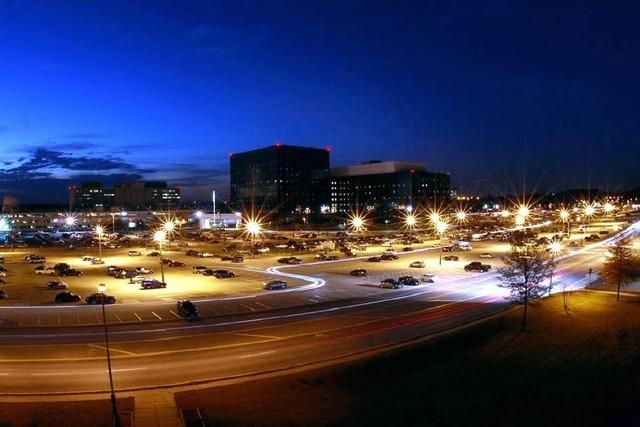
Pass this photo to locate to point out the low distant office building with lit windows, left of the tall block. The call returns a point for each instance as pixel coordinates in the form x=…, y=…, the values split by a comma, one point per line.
x=132, y=195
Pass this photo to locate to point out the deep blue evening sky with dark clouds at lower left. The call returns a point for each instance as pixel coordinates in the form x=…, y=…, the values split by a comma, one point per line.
x=165, y=90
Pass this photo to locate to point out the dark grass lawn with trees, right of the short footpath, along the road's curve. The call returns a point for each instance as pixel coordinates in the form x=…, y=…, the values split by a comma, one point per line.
x=569, y=368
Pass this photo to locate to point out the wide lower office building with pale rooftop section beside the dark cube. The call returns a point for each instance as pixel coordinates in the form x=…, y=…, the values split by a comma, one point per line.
x=383, y=186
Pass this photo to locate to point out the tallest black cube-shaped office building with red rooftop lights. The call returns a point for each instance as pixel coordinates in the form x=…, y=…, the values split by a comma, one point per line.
x=276, y=178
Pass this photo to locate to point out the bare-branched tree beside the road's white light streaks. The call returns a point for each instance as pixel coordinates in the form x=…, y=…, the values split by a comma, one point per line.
x=524, y=273
